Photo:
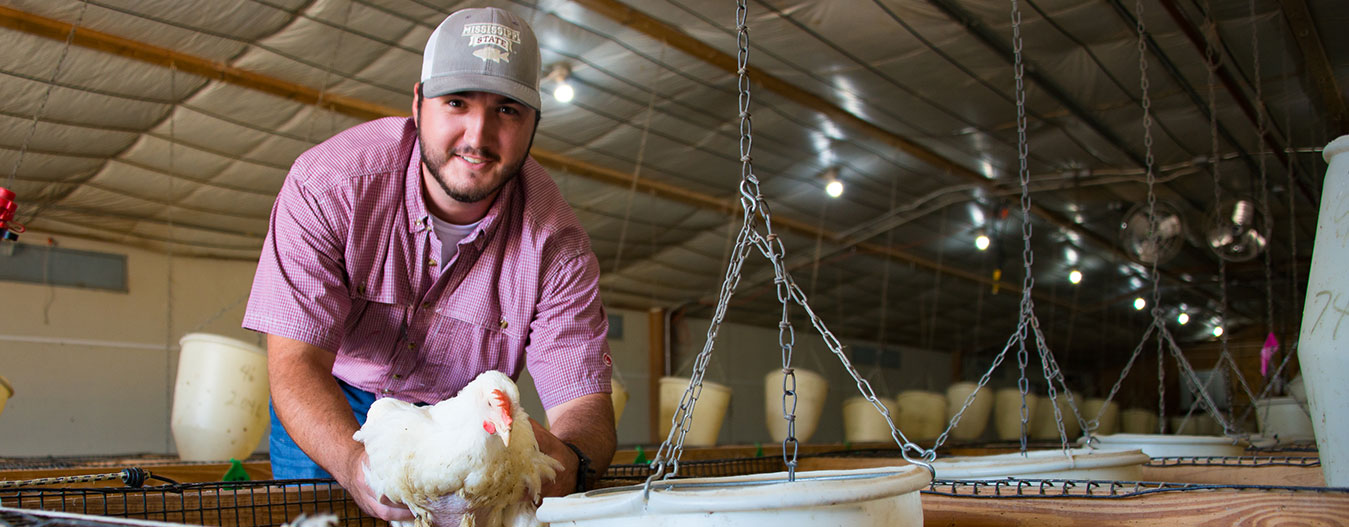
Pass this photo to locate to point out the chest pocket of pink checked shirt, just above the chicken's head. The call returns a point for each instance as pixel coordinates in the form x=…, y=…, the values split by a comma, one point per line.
x=461, y=348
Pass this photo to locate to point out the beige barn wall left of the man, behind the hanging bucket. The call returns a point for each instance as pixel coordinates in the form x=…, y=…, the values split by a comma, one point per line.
x=94, y=370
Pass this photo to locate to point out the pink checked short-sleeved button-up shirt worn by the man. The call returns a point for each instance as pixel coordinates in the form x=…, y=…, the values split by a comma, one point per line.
x=350, y=265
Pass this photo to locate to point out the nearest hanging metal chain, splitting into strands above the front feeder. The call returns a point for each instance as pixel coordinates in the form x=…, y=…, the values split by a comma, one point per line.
x=768, y=245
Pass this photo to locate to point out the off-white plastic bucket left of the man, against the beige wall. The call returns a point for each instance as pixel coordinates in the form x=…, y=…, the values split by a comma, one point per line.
x=221, y=398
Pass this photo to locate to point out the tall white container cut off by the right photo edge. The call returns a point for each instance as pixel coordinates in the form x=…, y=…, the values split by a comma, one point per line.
x=1320, y=352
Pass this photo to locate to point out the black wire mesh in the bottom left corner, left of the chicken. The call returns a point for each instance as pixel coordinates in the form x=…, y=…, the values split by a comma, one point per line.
x=227, y=505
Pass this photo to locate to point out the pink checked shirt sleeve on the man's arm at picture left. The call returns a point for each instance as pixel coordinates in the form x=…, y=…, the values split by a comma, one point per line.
x=300, y=289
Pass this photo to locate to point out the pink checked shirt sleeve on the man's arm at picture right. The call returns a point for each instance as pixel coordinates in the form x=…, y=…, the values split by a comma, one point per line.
x=567, y=352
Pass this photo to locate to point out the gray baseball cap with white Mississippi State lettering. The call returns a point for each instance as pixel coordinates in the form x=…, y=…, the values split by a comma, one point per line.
x=482, y=51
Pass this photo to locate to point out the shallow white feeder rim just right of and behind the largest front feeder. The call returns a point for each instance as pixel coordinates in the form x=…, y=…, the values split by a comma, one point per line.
x=1079, y=464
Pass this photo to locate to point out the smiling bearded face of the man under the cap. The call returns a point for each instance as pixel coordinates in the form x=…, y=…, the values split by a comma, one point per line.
x=473, y=144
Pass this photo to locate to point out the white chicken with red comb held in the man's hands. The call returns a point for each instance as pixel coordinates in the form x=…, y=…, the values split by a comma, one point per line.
x=469, y=445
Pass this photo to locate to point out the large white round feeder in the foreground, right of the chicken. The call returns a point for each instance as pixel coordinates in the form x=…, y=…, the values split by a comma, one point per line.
x=878, y=497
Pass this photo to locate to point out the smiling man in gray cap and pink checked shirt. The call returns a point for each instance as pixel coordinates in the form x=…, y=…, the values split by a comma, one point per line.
x=408, y=255
